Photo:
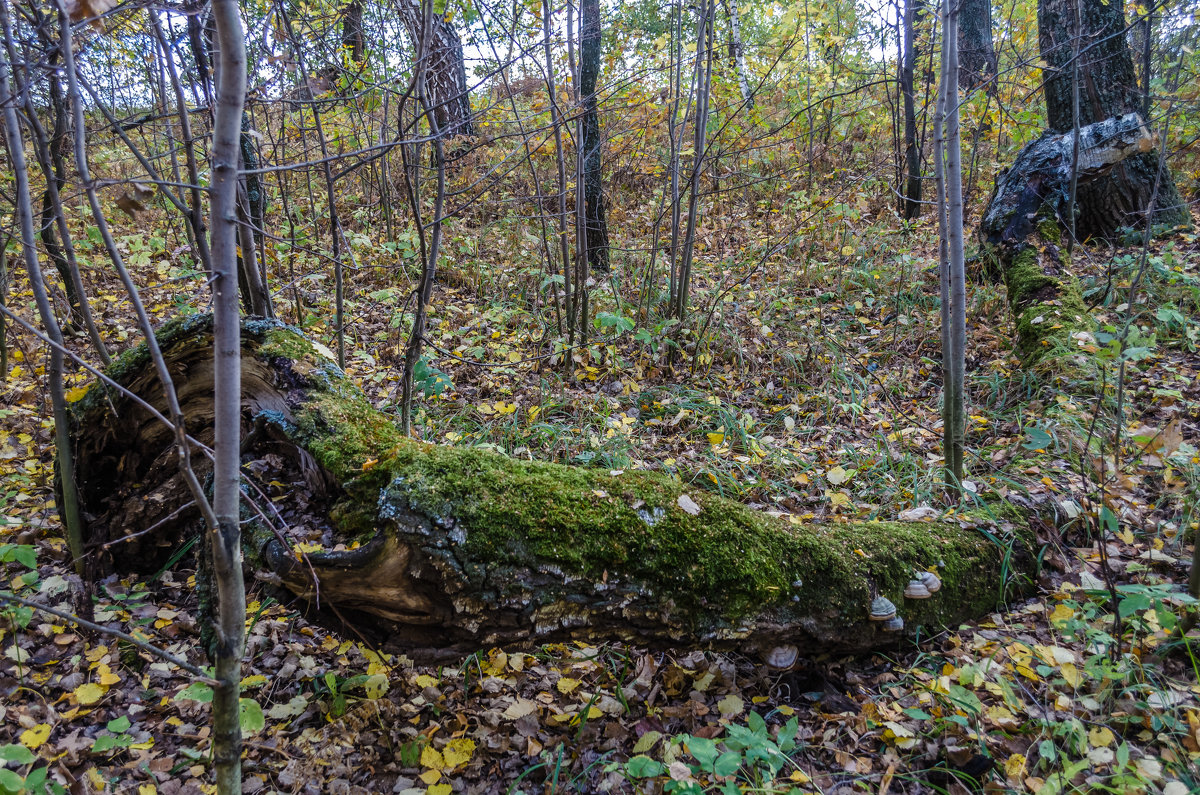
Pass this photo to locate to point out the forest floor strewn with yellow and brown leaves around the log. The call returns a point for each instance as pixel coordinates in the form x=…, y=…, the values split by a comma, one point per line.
x=815, y=394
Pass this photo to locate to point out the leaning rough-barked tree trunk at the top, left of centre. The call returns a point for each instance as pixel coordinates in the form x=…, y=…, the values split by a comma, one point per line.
x=446, y=71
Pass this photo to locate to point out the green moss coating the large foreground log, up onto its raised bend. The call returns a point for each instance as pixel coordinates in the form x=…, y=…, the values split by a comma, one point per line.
x=721, y=566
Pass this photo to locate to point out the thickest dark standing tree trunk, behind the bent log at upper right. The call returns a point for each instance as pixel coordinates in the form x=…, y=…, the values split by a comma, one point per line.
x=1108, y=88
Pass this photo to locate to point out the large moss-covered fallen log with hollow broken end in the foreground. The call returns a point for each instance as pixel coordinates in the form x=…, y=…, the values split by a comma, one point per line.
x=457, y=549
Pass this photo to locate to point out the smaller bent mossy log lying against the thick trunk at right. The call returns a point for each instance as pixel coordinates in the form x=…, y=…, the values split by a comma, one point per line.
x=1022, y=231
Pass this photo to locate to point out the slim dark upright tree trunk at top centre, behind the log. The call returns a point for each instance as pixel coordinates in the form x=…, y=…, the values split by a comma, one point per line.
x=591, y=145
